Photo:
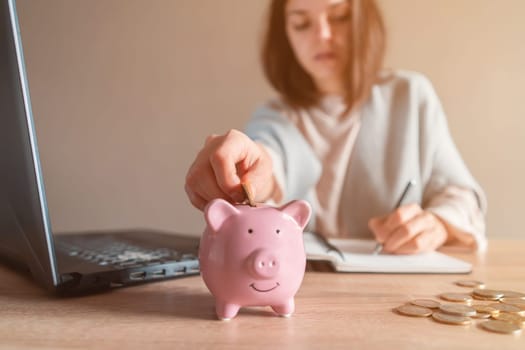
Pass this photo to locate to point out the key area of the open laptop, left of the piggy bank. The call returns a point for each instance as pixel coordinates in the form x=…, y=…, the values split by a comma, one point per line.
x=108, y=251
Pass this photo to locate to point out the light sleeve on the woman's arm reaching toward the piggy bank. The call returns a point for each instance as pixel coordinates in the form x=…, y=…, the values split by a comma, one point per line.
x=296, y=168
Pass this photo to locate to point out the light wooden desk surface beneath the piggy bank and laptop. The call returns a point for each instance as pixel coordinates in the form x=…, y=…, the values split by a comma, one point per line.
x=350, y=311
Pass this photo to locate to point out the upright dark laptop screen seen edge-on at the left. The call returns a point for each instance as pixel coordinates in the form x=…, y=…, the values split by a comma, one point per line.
x=25, y=232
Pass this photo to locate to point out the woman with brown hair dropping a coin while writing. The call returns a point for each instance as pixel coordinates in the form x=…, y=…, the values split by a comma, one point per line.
x=347, y=136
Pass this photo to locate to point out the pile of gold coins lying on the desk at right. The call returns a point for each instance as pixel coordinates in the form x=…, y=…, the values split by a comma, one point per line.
x=504, y=311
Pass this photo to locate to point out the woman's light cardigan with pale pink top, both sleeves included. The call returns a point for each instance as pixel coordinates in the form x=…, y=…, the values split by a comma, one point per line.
x=354, y=167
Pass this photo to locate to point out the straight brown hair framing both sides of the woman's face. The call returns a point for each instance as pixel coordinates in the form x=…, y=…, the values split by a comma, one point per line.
x=367, y=50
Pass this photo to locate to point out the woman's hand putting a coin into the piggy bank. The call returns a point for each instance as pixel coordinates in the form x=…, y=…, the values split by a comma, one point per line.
x=223, y=163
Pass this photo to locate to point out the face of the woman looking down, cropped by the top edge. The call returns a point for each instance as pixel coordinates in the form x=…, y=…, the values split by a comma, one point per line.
x=318, y=32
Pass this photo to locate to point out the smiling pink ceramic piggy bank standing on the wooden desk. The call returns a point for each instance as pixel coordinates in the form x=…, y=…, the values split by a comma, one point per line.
x=253, y=256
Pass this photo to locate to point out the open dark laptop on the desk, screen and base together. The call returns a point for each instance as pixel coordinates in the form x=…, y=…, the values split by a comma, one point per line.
x=80, y=262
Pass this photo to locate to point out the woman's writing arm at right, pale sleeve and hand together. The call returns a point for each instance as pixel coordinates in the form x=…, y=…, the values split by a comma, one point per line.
x=452, y=206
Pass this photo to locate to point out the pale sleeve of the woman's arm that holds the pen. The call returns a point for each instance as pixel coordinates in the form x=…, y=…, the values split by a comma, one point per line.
x=450, y=192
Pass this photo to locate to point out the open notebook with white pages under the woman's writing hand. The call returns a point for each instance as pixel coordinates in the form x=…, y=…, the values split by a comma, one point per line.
x=357, y=256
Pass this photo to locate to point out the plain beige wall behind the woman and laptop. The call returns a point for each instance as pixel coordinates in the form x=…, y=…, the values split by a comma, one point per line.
x=125, y=91
